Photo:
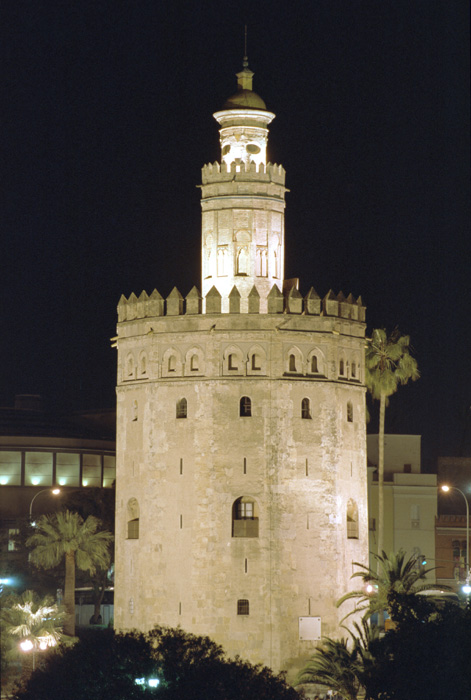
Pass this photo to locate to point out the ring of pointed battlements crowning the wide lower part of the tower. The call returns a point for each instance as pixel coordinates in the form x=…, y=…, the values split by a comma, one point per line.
x=291, y=302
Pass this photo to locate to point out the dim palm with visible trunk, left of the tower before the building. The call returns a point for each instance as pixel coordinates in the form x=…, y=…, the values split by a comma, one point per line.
x=67, y=535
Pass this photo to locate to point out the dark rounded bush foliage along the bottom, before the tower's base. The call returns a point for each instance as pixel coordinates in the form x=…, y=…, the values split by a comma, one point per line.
x=105, y=664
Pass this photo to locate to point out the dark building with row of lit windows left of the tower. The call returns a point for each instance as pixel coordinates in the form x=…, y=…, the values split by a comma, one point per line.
x=39, y=452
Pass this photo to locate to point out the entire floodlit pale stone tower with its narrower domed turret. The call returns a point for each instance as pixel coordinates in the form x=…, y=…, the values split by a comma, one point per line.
x=241, y=453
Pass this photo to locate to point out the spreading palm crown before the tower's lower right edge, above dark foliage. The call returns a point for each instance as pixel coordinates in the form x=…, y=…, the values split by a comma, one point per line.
x=394, y=575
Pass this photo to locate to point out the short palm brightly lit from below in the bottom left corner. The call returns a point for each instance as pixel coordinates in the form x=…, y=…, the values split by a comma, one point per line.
x=36, y=622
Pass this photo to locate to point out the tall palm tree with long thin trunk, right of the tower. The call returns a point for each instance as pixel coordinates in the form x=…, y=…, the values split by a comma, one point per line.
x=388, y=364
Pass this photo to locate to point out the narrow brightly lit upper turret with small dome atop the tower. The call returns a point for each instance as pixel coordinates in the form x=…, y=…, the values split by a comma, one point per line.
x=243, y=202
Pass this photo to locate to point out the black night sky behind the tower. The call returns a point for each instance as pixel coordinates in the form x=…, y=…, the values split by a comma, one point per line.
x=106, y=121
